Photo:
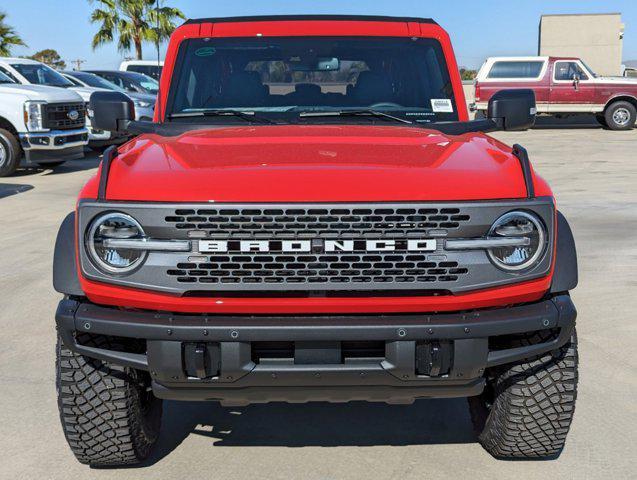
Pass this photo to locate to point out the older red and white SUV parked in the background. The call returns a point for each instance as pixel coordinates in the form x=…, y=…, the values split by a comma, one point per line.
x=563, y=86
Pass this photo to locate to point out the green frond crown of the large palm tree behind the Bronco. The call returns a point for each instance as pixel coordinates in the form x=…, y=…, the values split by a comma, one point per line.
x=133, y=22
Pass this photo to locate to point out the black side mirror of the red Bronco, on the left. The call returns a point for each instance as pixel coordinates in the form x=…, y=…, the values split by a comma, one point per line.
x=111, y=111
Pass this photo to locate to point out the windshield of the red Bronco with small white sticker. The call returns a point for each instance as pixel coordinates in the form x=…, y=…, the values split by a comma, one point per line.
x=284, y=77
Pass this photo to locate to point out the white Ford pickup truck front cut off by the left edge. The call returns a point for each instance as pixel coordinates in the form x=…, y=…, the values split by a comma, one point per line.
x=39, y=125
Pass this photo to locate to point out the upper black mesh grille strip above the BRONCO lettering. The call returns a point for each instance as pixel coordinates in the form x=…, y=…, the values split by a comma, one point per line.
x=317, y=222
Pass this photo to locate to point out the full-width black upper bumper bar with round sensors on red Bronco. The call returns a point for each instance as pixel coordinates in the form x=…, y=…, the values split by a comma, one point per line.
x=87, y=317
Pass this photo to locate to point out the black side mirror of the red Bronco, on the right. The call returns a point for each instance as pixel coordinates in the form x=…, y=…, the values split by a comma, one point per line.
x=513, y=109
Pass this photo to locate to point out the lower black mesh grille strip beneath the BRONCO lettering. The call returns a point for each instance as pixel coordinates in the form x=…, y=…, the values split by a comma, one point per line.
x=401, y=268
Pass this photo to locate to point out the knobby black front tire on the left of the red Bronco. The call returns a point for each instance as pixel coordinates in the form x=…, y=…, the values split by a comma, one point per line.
x=109, y=415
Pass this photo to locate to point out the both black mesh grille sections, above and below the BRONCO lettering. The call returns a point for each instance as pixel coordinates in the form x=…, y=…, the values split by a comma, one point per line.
x=358, y=267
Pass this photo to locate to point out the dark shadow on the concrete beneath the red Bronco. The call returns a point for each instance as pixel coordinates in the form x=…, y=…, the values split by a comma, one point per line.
x=426, y=422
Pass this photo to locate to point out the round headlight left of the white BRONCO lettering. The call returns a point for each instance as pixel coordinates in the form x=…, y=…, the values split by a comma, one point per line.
x=115, y=226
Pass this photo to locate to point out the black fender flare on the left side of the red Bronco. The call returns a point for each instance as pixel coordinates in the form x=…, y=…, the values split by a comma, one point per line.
x=65, y=273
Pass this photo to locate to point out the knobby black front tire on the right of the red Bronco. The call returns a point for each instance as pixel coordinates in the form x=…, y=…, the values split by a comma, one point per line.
x=527, y=407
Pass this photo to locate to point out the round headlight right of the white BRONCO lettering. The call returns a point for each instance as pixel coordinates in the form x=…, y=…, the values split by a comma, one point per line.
x=525, y=227
